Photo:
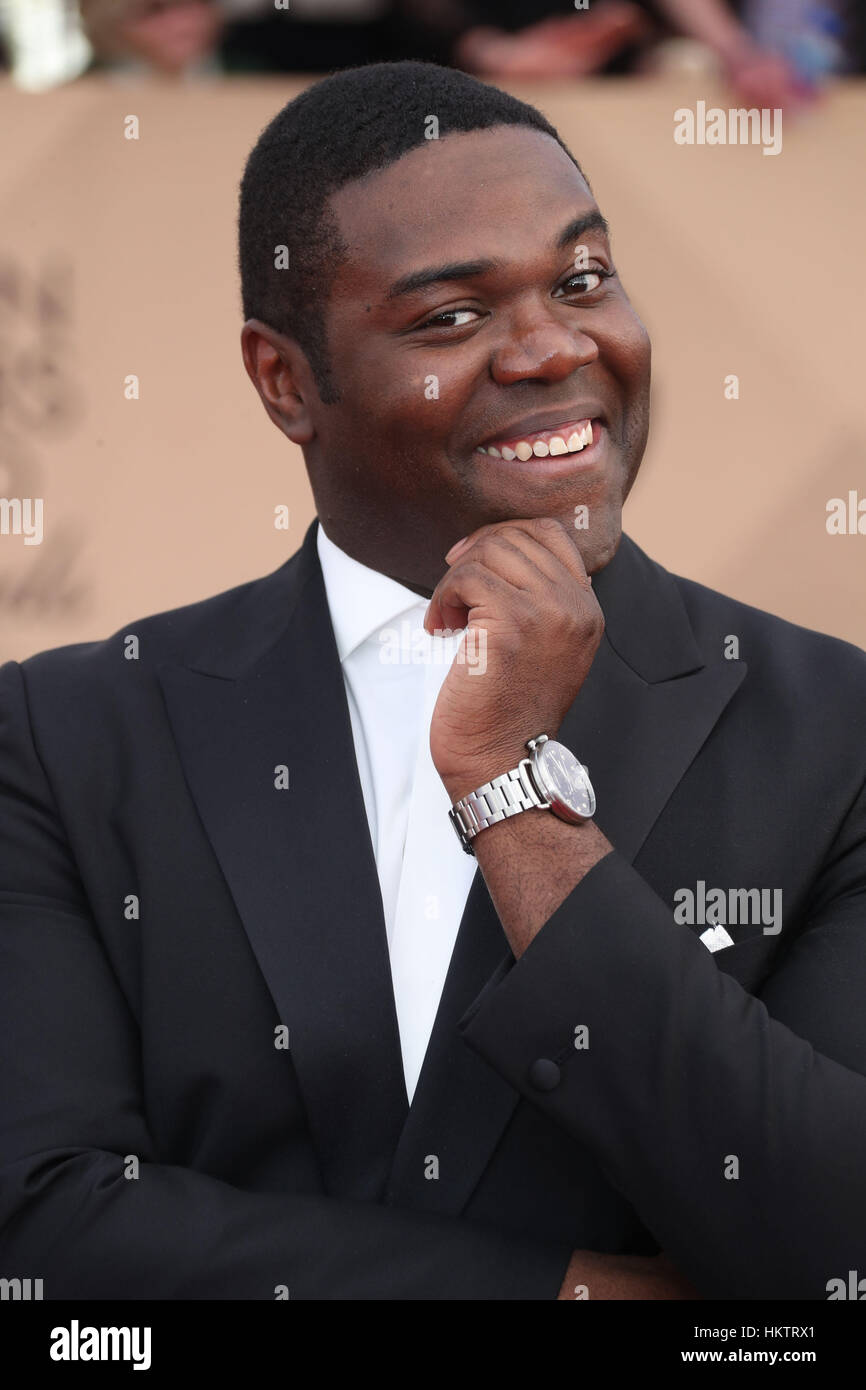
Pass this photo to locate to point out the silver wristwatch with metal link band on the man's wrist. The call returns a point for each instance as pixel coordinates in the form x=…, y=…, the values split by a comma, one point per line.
x=553, y=779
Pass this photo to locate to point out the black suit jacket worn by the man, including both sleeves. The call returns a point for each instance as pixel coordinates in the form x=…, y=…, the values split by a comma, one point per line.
x=165, y=910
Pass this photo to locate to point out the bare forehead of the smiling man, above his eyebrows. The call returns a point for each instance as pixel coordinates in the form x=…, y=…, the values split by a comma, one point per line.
x=504, y=194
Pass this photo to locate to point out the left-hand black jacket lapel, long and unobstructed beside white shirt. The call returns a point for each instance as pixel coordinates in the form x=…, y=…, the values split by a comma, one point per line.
x=300, y=864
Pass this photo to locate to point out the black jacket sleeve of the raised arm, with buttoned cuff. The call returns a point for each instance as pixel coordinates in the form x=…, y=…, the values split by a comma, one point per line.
x=735, y=1125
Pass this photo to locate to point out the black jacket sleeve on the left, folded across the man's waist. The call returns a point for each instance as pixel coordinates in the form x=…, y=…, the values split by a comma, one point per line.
x=73, y=1109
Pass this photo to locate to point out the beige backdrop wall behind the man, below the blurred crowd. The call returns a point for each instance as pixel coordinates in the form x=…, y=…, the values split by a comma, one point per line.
x=119, y=258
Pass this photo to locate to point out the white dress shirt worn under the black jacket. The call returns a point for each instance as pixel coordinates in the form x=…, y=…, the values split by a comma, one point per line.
x=394, y=672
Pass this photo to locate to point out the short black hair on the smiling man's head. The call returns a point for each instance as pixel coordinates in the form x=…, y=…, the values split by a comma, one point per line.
x=338, y=130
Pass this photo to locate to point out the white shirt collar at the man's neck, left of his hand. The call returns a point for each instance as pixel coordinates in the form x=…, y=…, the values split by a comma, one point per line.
x=361, y=600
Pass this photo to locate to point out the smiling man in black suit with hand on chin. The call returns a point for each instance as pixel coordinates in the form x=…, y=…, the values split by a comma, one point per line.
x=238, y=932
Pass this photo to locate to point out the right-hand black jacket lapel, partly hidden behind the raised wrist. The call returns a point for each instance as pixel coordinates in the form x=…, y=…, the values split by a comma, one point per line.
x=639, y=722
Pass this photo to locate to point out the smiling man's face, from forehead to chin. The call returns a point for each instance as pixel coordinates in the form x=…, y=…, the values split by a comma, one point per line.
x=476, y=309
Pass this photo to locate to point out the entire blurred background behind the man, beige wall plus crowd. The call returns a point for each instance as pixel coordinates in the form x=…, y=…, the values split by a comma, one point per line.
x=124, y=405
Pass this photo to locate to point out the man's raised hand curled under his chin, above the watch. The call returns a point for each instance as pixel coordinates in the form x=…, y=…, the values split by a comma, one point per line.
x=534, y=629
